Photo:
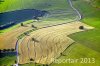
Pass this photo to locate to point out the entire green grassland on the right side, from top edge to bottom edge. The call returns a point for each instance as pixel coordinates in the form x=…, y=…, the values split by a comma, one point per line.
x=87, y=43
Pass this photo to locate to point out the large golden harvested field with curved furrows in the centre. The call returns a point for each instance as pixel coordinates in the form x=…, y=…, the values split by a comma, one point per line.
x=46, y=44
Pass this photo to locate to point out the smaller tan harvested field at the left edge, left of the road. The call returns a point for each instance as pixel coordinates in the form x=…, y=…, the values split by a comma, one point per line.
x=8, y=40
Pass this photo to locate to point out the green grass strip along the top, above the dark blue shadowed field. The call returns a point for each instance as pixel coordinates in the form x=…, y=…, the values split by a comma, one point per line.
x=11, y=5
